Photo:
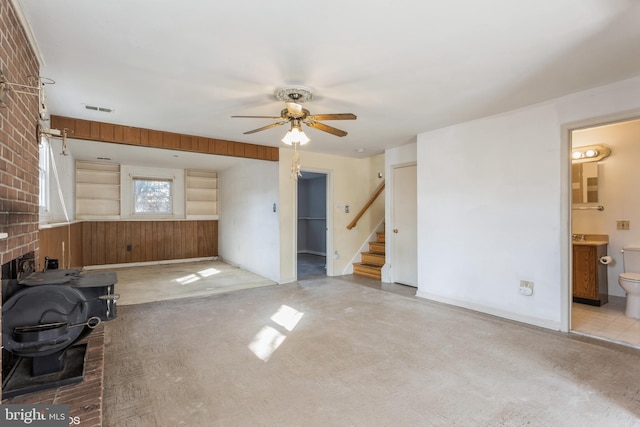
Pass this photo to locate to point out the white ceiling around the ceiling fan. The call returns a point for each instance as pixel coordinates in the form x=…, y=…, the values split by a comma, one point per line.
x=403, y=67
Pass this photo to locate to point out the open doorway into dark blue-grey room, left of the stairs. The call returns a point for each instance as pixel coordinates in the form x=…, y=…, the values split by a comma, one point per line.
x=312, y=225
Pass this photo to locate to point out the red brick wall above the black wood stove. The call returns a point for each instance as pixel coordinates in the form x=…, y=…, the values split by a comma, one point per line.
x=18, y=142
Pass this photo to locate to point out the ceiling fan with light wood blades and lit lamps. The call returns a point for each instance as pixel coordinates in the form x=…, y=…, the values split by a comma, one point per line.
x=294, y=113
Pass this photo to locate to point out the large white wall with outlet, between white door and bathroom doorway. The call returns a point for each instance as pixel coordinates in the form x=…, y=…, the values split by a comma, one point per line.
x=494, y=208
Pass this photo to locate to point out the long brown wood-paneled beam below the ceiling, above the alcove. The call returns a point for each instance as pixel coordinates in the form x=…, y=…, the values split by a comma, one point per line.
x=119, y=134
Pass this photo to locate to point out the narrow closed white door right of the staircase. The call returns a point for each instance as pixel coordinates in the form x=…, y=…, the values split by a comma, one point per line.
x=404, y=265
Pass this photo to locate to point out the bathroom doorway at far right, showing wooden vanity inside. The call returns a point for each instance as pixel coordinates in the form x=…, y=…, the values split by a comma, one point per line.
x=603, y=194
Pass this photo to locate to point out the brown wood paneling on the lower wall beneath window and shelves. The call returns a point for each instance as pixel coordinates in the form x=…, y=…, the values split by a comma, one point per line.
x=119, y=242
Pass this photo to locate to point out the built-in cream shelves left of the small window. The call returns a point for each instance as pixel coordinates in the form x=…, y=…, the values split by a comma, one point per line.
x=97, y=190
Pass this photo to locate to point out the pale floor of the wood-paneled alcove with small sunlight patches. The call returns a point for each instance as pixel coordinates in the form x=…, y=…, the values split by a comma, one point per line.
x=138, y=285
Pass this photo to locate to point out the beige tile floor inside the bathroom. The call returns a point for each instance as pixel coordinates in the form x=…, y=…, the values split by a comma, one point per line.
x=607, y=322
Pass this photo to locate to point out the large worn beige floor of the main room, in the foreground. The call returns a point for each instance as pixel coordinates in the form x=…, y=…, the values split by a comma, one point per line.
x=330, y=351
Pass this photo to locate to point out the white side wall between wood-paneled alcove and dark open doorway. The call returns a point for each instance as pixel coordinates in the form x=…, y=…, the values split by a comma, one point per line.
x=248, y=229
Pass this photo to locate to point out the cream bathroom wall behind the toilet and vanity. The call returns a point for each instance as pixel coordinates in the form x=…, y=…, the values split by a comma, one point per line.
x=618, y=178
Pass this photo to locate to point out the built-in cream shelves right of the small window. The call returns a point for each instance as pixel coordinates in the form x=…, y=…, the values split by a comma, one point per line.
x=201, y=188
